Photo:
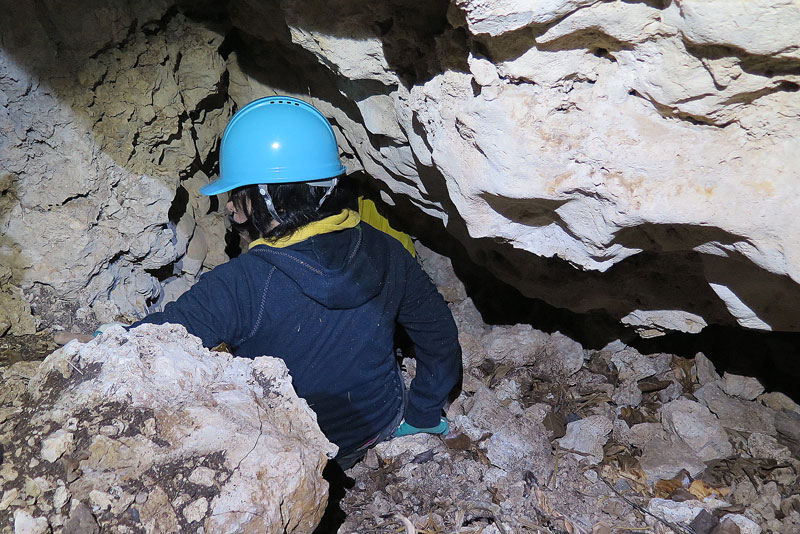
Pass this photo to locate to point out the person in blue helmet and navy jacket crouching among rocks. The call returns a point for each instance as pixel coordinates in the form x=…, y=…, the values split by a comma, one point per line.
x=318, y=288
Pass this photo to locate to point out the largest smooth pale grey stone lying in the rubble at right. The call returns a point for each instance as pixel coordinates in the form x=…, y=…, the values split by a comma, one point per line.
x=697, y=427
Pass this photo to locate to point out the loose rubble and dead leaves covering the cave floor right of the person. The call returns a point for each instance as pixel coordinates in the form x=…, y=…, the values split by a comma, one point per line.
x=549, y=437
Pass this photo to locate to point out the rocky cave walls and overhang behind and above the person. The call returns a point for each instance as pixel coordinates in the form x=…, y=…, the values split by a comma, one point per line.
x=629, y=157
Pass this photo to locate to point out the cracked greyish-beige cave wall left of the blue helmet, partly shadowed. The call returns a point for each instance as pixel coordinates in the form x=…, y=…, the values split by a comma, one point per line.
x=96, y=135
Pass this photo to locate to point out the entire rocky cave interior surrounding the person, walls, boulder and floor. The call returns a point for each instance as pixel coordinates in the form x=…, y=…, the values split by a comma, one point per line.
x=617, y=250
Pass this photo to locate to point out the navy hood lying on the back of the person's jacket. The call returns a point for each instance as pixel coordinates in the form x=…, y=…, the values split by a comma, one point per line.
x=334, y=269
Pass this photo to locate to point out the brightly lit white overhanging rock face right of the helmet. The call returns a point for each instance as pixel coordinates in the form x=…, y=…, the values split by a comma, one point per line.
x=616, y=137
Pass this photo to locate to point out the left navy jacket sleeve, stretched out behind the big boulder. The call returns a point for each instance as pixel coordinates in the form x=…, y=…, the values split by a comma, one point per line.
x=215, y=309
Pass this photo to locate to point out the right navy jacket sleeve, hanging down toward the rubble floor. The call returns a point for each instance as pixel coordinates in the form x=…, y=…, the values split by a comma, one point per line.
x=430, y=325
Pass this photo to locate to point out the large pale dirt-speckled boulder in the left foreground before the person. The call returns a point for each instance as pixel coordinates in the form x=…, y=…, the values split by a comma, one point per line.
x=146, y=431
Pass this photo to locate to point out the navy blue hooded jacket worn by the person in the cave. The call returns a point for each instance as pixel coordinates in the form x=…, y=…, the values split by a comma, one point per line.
x=328, y=307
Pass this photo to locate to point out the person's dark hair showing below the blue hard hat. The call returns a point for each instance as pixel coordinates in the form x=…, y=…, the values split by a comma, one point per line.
x=295, y=203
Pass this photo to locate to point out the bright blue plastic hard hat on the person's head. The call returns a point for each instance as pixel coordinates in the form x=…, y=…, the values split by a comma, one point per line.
x=276, y=140
